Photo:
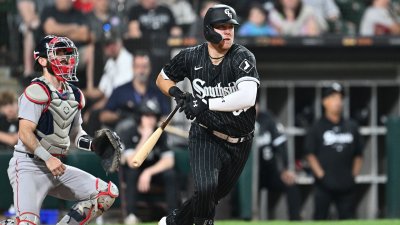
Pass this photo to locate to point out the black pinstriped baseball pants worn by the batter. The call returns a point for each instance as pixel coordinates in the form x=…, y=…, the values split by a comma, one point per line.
x=216, y=166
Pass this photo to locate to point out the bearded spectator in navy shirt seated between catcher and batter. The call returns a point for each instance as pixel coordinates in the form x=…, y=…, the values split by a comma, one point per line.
x=124, y=101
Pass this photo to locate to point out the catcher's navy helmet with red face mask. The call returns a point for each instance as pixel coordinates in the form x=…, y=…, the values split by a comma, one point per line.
x=62, y=57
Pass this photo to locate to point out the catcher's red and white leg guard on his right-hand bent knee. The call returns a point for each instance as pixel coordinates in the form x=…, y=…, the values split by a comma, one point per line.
x=85, y=211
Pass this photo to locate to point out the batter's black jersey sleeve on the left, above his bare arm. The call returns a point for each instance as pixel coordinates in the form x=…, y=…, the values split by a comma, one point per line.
x=176, y=69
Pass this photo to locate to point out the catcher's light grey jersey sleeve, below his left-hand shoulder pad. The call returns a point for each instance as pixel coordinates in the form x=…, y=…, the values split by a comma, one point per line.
x=29, y=110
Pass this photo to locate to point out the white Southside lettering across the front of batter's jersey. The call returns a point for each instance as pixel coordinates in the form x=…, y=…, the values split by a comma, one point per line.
x=216, y=91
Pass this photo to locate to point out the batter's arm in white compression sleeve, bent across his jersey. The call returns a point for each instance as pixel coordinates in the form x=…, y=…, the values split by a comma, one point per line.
x=243, y=98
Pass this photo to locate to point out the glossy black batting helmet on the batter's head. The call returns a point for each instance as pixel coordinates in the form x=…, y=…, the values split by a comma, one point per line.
x=219, y=13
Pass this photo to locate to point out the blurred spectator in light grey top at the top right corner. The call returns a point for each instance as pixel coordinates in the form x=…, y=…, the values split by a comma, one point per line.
x=378, y=19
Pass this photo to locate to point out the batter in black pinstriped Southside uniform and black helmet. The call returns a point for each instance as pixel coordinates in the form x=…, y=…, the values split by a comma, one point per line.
x=224, y=81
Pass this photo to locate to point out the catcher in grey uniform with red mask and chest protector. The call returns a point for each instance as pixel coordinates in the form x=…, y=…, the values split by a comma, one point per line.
x=49, y=119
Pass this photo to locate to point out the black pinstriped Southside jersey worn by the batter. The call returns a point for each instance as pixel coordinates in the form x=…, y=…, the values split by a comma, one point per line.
x=210, y=81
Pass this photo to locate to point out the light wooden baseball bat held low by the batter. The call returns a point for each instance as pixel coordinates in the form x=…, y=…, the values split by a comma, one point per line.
x=143, y=152
